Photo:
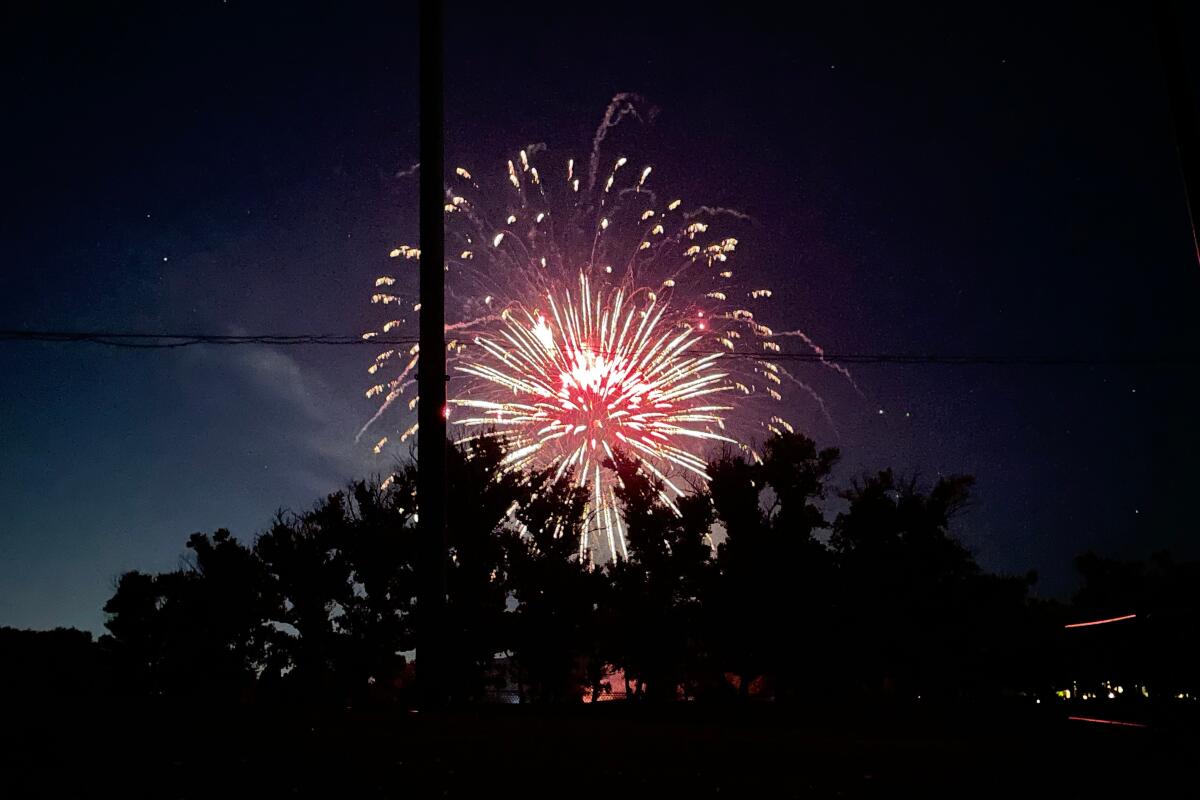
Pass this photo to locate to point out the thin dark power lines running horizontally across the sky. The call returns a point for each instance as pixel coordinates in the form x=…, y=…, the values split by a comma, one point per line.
x=160, y=341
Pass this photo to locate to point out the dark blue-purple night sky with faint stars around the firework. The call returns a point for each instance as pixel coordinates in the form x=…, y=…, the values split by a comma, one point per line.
x=944, y=181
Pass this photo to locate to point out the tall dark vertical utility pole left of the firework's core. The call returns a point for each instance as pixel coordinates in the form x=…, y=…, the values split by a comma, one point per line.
x=431, y=372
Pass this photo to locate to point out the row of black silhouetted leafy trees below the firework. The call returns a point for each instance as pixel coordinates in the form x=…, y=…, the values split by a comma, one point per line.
x=323, y=607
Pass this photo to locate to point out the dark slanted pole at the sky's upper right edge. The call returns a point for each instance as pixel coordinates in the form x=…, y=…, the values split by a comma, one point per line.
x=1184, y=112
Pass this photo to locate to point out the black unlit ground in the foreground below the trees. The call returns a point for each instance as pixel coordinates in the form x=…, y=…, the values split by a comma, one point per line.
x=194, y=750
